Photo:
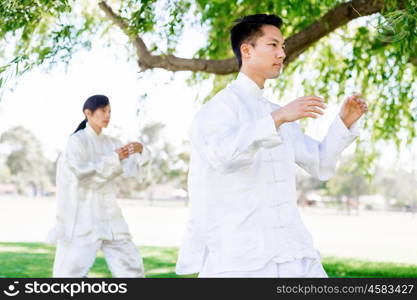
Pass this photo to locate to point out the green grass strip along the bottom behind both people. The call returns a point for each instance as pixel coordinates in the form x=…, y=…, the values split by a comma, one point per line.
x=36, y=259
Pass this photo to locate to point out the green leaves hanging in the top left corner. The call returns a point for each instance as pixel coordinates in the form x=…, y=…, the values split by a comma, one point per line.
x=42, y=31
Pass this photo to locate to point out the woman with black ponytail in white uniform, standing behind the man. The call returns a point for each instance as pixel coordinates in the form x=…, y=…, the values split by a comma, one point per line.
x=88, y=216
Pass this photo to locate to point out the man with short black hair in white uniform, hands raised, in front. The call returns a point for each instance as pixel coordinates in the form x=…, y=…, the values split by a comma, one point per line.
x=244, y=219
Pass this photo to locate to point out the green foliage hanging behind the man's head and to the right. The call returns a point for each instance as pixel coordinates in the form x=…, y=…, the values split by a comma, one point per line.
x=374, y=55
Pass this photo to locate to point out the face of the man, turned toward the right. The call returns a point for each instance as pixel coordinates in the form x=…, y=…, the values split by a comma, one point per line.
x=265, y=56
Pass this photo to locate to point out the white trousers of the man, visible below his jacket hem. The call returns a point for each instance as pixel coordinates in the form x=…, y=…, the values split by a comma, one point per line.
x=305, y=267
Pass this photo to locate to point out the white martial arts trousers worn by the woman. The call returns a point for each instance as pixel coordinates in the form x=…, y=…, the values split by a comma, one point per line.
x=75, y=260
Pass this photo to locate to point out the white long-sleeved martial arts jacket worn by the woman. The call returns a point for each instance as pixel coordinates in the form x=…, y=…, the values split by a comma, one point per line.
x=87, y=210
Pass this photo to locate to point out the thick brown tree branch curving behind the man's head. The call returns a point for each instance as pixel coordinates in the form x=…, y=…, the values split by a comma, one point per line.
x=295, y=45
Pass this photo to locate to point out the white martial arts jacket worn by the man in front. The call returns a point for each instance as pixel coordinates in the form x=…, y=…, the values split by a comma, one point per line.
x=241, y=182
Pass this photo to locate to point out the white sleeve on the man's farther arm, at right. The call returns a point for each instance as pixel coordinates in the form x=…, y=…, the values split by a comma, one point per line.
x=319, y=158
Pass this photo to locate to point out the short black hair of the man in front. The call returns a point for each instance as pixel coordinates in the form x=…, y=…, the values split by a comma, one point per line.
x=248, y=29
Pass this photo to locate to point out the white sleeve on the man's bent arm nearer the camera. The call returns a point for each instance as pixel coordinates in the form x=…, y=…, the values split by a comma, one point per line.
x=228, y=144
